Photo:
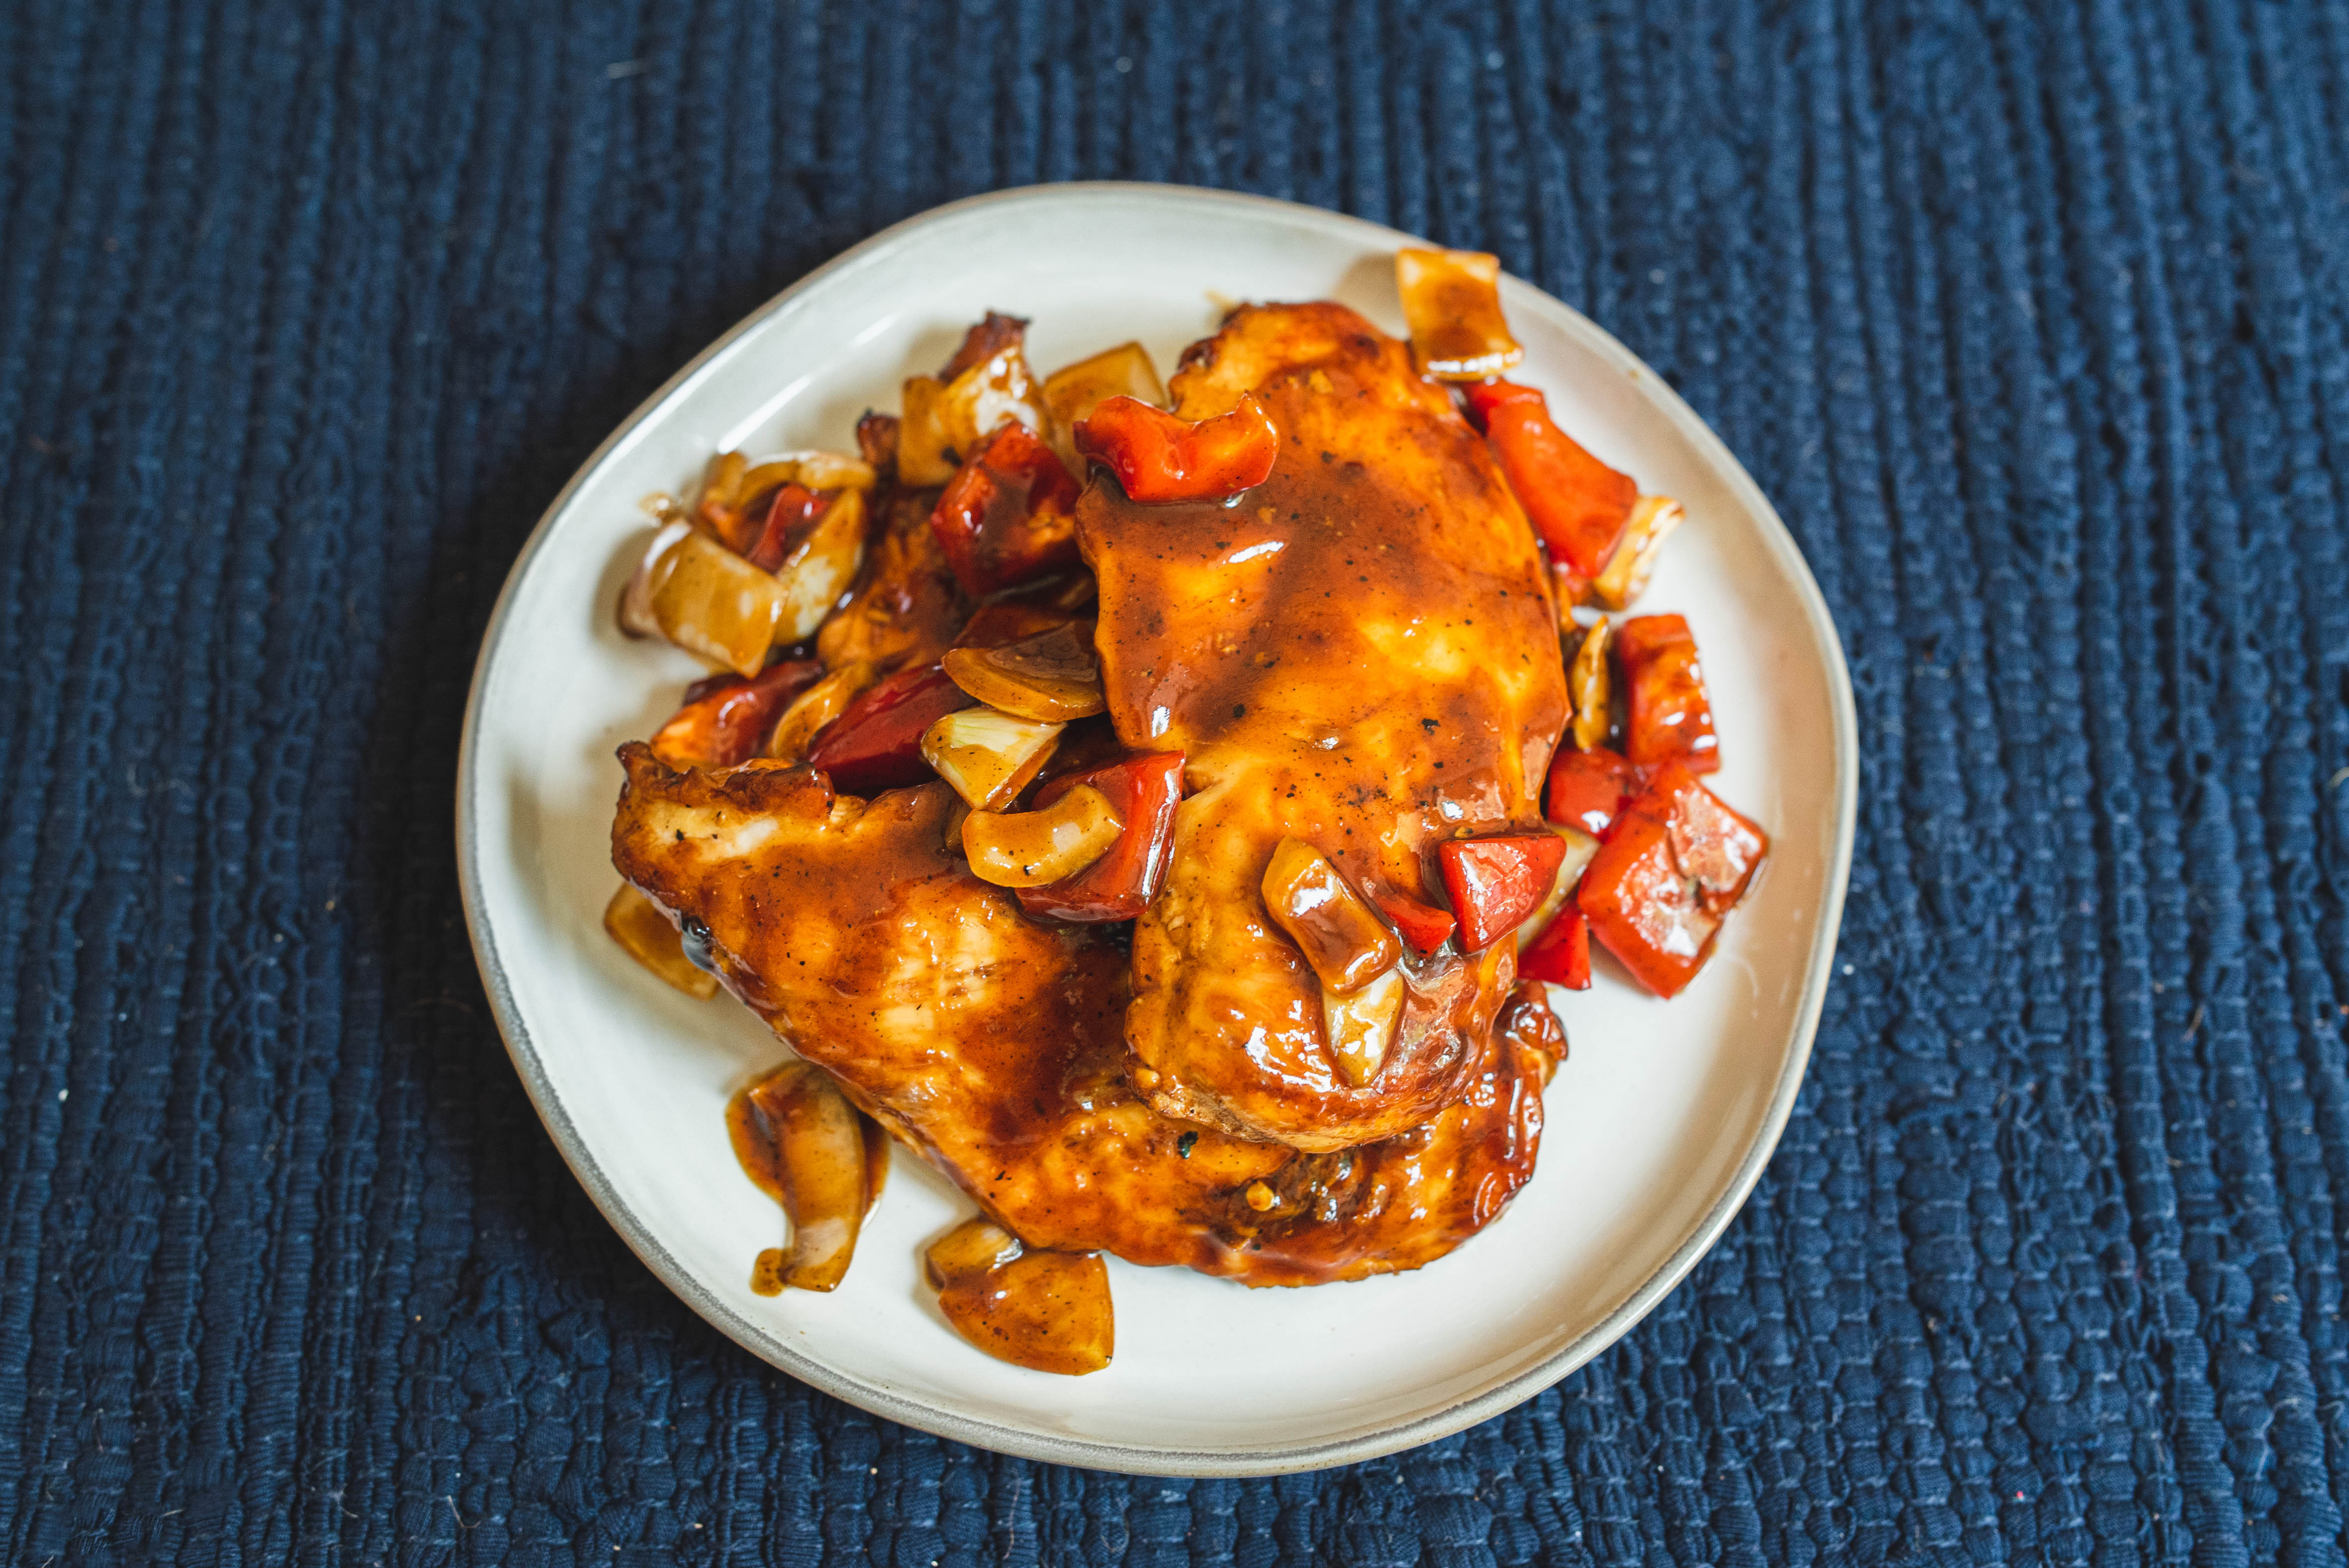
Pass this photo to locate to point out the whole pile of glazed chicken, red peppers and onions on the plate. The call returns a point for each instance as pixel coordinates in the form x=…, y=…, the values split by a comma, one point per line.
x=1173, y=809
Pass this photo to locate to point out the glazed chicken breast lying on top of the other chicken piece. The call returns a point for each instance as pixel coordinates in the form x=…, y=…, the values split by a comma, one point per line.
x=1359, y=654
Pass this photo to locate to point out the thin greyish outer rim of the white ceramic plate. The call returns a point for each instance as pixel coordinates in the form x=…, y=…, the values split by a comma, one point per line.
x=1096, y=1454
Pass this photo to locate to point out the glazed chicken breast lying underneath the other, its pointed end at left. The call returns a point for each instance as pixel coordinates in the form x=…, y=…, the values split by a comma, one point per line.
x=992, y=1043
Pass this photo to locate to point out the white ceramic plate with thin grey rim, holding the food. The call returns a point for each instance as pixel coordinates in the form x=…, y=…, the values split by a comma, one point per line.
x=1657, y=1126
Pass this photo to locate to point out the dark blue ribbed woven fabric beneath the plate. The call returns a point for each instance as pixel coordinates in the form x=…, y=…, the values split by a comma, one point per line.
x=2033, y=323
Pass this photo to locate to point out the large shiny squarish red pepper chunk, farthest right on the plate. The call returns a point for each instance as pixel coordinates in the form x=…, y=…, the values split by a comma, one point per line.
x=1667, y=877
